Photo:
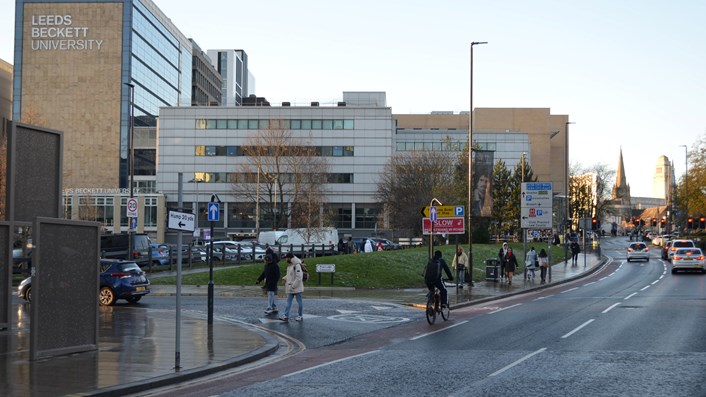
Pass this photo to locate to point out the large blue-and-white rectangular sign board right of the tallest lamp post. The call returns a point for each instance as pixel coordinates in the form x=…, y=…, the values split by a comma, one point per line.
x=536, y=205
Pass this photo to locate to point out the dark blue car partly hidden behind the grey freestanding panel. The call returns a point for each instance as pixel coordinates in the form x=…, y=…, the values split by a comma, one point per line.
x=119, y=279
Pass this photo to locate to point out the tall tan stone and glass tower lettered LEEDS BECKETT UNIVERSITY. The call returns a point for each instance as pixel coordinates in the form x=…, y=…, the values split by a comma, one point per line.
x=80, y=65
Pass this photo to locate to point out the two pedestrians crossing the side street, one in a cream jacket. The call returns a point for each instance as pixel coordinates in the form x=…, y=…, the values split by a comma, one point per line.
x=293, y=283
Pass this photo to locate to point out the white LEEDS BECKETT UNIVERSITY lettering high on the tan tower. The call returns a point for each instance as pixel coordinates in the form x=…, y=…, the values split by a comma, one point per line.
x=56, y=32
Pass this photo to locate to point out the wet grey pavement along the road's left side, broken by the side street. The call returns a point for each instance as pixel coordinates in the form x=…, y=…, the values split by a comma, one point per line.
x=137, y=348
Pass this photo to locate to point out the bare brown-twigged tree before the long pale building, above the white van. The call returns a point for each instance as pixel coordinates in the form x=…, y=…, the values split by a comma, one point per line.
x=284, y=177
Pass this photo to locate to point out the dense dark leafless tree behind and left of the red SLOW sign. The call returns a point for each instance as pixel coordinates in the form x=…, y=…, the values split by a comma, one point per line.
x=410, y=181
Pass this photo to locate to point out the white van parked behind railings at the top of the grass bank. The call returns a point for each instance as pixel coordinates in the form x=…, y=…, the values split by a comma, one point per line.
x=312, y=240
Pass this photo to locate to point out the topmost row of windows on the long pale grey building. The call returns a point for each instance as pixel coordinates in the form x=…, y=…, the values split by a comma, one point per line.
x=285, y=124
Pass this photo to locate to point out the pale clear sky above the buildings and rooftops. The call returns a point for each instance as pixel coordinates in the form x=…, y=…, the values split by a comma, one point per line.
x=630, y=74
